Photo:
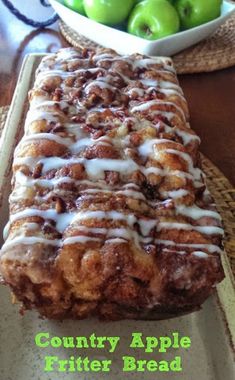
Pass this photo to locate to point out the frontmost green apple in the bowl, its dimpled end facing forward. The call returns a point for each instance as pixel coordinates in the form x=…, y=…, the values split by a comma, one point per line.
x=153, y=19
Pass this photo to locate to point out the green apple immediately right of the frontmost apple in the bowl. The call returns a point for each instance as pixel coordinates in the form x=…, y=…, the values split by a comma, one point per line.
x=196, y=12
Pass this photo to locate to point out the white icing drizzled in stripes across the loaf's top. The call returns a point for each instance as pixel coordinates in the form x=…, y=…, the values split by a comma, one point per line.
x=95, y=168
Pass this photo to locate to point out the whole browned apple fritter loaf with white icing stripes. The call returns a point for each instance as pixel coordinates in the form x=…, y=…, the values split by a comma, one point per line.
x=109, y=212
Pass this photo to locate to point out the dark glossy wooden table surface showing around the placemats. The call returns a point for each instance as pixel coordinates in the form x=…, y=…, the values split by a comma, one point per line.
x=211, y=96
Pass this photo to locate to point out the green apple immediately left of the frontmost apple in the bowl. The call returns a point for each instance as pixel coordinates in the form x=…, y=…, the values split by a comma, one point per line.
x=109, y=12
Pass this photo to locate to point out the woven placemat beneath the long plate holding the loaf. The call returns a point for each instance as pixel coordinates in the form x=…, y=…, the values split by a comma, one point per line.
x=220, y=188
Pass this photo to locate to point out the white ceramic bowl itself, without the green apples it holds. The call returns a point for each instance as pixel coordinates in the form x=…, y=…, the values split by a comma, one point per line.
x=125, y=43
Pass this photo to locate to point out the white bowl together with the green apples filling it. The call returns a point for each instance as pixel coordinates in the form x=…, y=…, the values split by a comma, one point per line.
x=153, y=27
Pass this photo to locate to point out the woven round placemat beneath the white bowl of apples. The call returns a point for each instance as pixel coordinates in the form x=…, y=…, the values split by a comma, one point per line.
x=214, y=53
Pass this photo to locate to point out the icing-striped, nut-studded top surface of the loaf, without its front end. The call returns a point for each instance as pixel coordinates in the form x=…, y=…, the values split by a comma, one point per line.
x=107, y=142
